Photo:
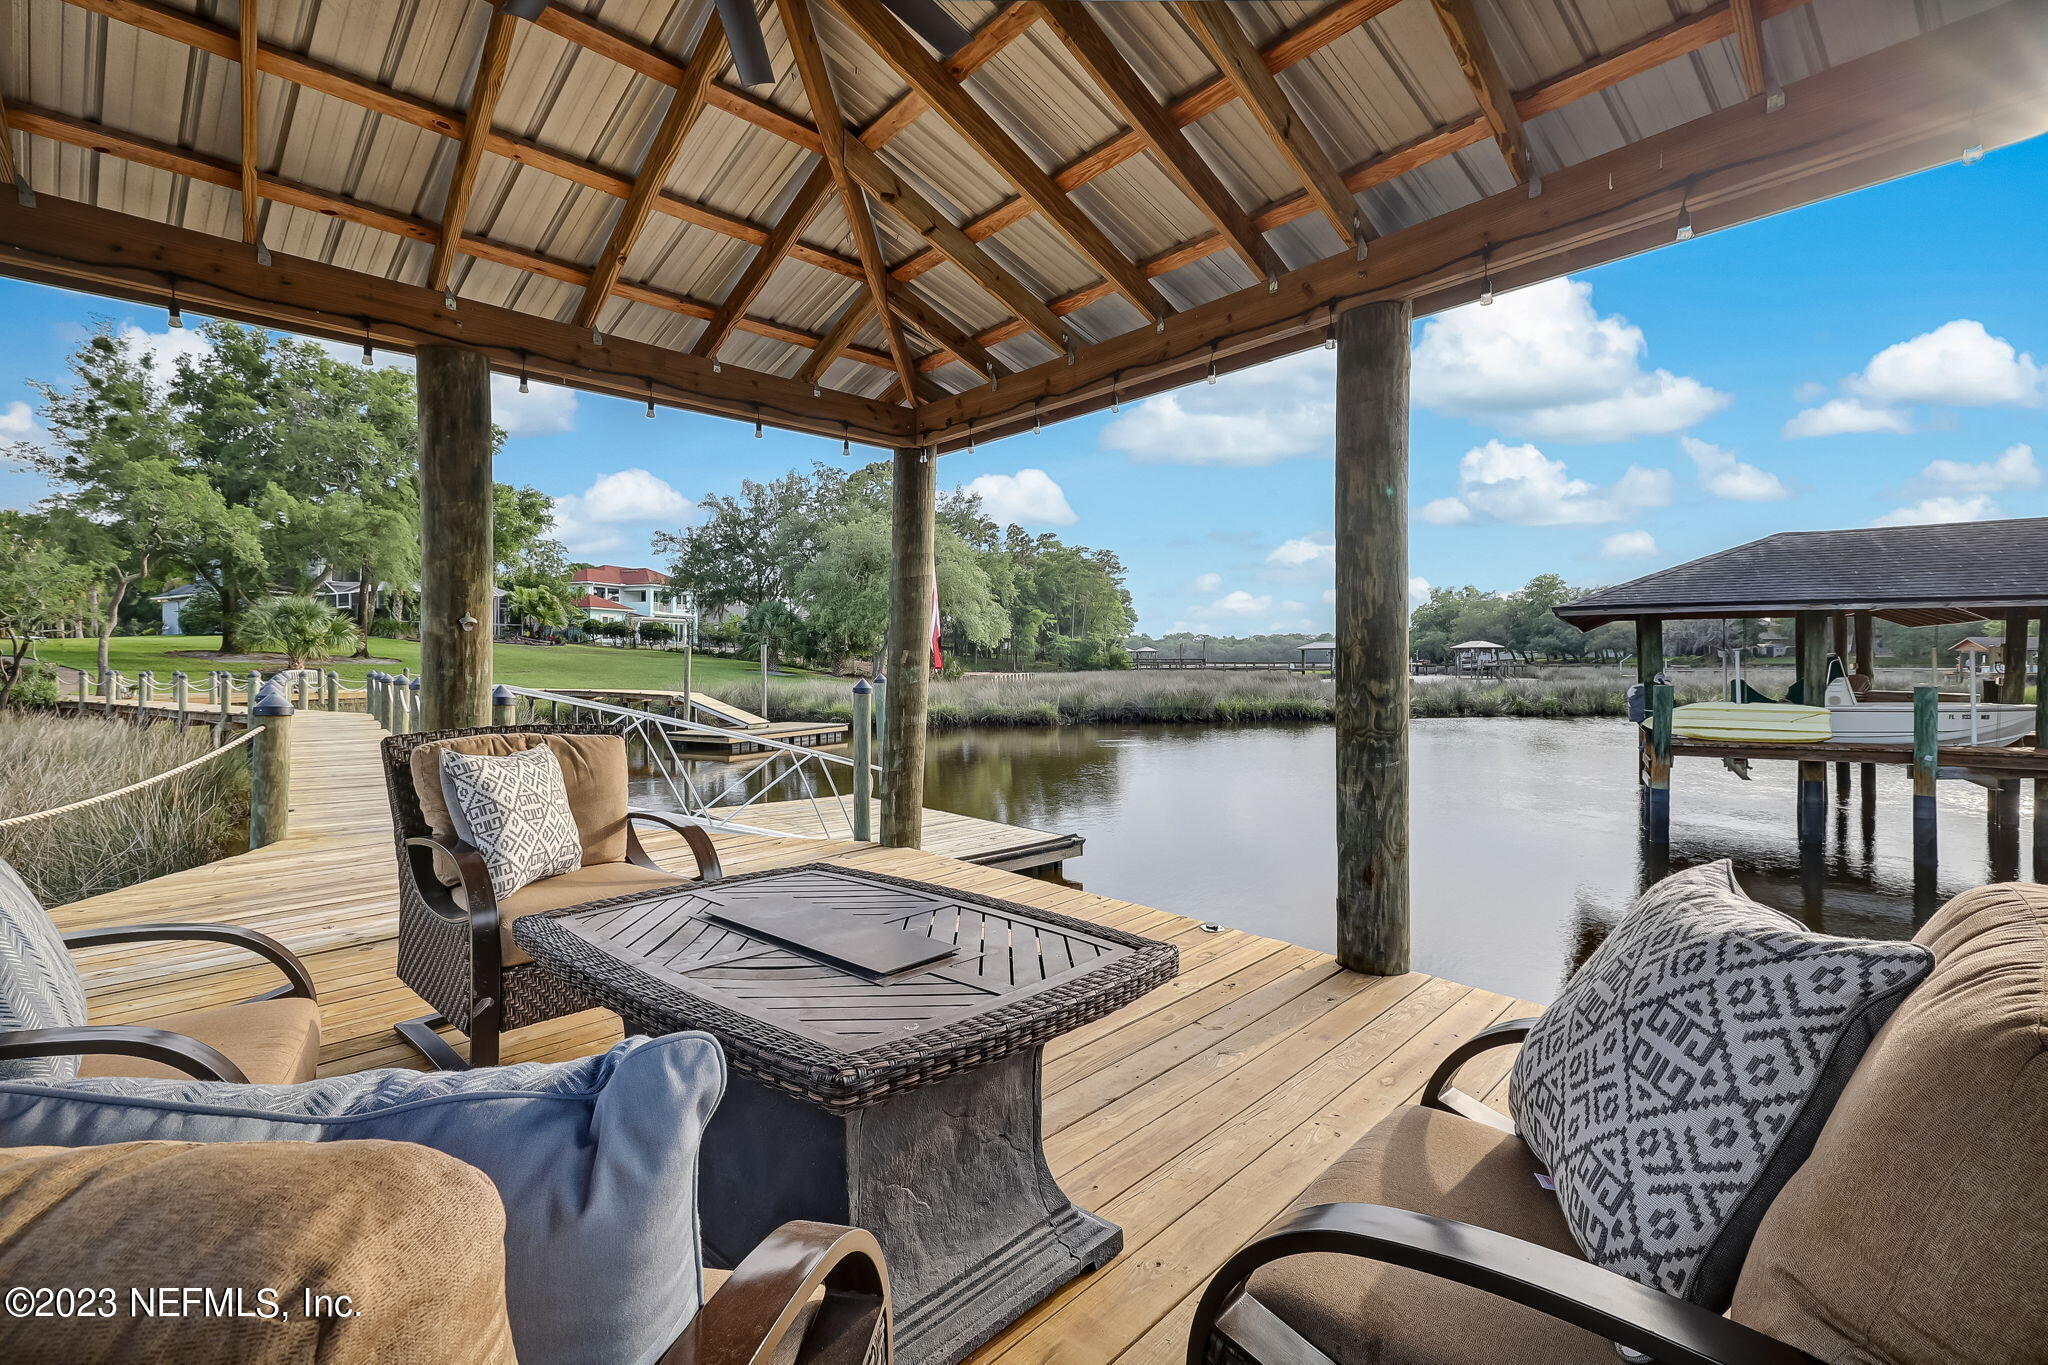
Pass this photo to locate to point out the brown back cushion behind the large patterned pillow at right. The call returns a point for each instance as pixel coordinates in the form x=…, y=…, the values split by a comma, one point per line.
x=1918, y=1231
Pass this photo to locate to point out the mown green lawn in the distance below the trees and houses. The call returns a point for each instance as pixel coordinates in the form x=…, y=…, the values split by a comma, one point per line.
x=523, y=666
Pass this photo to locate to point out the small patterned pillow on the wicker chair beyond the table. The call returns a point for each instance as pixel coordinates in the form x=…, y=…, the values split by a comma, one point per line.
x=515, y=811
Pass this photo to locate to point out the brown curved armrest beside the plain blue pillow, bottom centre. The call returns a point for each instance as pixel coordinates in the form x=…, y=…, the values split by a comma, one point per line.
x=761, y=1307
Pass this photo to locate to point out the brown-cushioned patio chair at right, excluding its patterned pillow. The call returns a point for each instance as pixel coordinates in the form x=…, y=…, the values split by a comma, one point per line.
x=1912, y=1235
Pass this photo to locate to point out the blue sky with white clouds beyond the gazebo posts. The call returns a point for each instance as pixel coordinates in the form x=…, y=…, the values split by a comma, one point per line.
x=1879, y=357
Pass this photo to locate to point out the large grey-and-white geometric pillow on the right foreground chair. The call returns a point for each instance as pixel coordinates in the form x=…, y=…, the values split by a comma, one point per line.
x=1687, y=1069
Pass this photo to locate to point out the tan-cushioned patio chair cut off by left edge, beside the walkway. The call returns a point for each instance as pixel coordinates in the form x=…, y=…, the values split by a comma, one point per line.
x=269, y=1039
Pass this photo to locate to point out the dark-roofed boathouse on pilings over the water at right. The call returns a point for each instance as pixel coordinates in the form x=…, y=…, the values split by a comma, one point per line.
x=1834, y=586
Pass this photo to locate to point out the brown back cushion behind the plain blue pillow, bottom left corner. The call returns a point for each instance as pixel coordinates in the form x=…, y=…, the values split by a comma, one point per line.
x=411, y=1235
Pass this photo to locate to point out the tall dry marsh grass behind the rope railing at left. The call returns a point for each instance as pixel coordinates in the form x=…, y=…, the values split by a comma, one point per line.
x=181, y=824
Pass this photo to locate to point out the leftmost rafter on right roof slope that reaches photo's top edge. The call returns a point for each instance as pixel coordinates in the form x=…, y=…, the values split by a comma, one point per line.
x=951, y=101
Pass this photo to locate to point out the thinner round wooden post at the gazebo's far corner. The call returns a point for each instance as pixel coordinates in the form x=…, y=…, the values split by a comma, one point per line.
x=912, y=513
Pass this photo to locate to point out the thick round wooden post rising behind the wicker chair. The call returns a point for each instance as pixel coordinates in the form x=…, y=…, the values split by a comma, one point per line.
x=456, y=537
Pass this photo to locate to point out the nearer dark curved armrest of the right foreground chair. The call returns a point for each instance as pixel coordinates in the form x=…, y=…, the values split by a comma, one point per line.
x=1656, y=1325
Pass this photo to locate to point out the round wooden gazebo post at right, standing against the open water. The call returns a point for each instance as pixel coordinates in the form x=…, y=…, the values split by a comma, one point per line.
x=1373, y=648
